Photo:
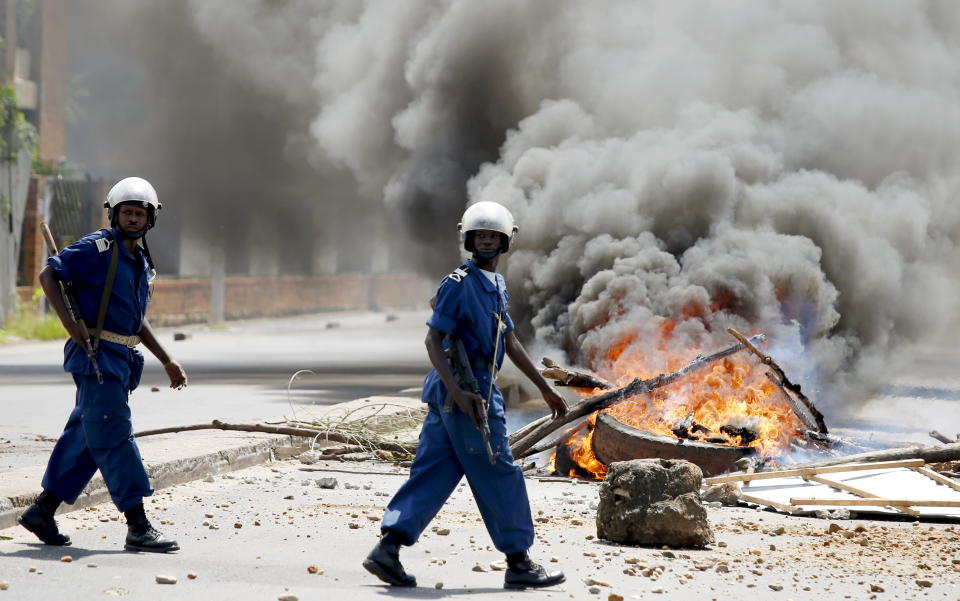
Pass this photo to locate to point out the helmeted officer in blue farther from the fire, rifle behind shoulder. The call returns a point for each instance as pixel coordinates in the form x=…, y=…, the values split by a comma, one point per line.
x=99, y=433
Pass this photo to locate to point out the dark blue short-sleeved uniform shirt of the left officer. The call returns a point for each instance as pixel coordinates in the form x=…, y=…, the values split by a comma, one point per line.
x=85, y=264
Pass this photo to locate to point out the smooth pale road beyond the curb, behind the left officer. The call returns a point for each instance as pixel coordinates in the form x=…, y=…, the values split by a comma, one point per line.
x=236, y=373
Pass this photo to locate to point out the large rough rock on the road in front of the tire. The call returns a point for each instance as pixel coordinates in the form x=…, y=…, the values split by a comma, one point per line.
x=653, y=502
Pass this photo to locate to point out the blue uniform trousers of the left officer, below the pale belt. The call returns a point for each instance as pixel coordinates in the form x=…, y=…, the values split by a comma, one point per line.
x=98, y=435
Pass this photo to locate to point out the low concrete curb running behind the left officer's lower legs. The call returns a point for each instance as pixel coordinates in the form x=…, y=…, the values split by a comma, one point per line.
x=162, y=474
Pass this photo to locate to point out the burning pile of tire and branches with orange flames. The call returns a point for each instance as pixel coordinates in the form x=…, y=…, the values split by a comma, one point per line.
x=713, y=411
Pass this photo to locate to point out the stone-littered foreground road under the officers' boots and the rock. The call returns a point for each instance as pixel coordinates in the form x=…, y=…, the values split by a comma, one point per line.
x=253, y=534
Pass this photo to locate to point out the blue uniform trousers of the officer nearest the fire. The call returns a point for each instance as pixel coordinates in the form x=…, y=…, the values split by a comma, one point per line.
x=451, y=447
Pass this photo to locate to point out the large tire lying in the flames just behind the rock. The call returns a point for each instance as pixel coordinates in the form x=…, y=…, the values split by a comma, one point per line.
x=614, y=441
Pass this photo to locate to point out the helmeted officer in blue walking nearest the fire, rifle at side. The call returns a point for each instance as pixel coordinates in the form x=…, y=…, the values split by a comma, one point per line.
x=471, y=304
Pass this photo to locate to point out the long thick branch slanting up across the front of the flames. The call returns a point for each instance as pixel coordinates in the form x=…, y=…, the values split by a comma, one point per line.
x=537, y=430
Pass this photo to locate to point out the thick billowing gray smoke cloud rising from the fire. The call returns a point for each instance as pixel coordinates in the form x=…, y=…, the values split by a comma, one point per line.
x=675, y=167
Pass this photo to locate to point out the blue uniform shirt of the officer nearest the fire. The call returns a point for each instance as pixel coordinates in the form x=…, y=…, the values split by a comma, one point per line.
x=467, y=306
